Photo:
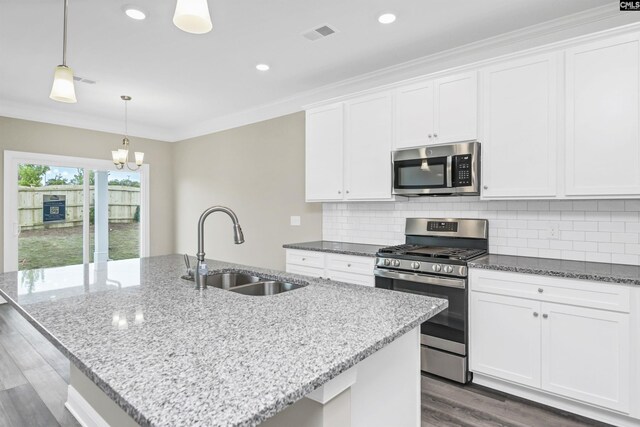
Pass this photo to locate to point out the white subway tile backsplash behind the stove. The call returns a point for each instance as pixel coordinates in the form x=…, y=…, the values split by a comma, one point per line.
x=591, y=230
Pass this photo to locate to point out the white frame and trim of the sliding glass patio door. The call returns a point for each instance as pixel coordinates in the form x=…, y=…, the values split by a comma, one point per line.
x=11, y=161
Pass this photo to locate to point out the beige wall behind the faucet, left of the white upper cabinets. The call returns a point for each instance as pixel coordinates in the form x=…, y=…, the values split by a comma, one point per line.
x=258, y=171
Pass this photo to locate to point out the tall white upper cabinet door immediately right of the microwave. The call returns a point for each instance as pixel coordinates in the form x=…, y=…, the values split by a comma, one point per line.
x=520, y=143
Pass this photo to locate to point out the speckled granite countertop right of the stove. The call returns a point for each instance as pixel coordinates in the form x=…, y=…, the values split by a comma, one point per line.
x=601, y=272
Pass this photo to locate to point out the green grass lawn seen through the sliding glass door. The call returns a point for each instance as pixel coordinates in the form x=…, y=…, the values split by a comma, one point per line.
x=57, y=247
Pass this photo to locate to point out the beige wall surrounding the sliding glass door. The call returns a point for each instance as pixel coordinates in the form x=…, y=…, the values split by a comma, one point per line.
x=22, y=135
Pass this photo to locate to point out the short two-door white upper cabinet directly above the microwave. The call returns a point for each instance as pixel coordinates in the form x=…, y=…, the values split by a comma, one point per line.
x=437, y=111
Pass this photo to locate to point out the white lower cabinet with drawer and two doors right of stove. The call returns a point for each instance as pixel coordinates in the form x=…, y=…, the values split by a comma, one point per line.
x=543, y=338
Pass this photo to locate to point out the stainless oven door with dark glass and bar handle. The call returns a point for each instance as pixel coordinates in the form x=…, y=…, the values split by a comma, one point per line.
x=447, y=330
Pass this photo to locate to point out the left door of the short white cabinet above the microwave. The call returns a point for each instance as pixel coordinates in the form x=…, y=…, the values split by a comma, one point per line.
x=414, y=115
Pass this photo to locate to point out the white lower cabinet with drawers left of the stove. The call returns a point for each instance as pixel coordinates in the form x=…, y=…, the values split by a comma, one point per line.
x=341, y=268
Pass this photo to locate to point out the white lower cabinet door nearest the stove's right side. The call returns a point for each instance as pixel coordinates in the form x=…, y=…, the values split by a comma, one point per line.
x=505, y=338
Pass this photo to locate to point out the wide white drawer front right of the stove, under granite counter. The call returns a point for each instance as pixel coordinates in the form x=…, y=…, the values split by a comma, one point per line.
x=552, y=289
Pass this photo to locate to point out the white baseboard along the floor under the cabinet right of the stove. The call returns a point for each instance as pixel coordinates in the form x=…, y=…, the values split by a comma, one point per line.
x=554, y=401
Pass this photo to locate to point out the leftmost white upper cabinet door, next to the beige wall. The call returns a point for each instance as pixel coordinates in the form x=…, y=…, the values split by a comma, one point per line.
x=324, y=153
